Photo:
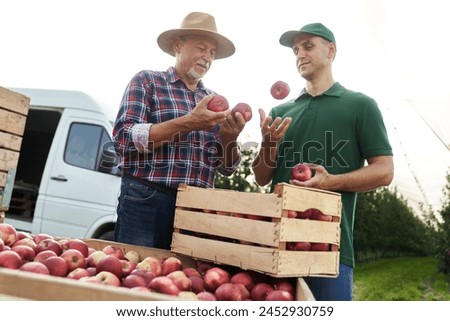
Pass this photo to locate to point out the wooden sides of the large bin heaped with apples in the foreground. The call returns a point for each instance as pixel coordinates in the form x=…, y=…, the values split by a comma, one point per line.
x=20, y=285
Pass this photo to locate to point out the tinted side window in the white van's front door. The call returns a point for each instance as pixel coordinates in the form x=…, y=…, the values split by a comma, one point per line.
x=84, y=145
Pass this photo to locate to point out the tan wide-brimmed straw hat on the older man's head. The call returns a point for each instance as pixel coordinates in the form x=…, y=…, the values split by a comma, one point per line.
x=201, y=24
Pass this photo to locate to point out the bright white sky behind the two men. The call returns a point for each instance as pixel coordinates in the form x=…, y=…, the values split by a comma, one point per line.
x=395, y=51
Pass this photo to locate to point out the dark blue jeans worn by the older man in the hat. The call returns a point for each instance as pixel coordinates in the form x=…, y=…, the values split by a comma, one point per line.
x=144, y=215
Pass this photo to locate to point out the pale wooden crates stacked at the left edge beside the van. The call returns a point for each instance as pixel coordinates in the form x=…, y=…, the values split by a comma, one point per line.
x=13, y=114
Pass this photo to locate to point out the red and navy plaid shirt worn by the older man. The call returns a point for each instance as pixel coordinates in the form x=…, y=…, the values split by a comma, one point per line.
x=193, y=158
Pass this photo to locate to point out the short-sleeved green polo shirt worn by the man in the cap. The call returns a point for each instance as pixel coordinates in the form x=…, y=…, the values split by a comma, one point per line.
x=338, y=130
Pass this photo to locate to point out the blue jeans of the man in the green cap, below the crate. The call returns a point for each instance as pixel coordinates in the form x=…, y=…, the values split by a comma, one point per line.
x=333, y=289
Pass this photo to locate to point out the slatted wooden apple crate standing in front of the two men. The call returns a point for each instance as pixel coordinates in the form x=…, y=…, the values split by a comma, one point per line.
x=255, y=244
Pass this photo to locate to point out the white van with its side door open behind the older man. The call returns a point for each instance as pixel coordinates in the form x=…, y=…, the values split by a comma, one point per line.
x=67, y=182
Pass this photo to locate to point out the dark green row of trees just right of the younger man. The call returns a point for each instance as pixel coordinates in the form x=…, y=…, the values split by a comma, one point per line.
x=386, y=227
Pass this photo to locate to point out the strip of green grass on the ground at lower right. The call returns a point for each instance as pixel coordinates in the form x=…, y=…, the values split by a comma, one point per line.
x=400, y=279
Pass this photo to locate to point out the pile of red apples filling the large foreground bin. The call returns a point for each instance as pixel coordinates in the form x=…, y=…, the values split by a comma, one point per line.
x=112, y=266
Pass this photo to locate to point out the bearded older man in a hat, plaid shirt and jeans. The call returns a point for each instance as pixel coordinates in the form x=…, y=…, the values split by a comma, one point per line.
x=165, y=134
